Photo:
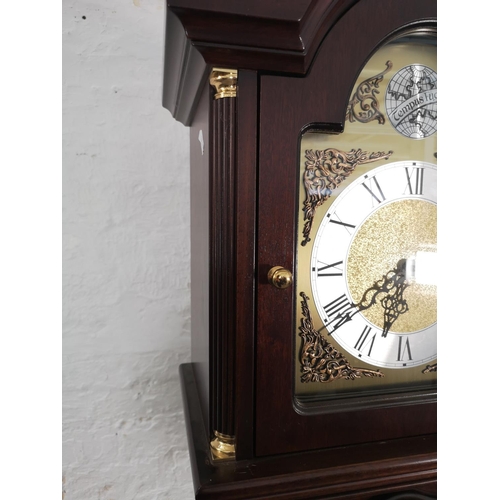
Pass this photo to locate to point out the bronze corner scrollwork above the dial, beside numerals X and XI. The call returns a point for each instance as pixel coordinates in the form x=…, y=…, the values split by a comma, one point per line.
x=324, y=171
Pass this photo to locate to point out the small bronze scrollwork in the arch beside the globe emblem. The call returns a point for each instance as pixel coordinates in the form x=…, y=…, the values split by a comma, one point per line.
x=364, y=105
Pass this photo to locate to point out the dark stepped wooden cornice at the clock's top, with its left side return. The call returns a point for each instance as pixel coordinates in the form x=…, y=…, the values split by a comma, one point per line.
x=280, y=36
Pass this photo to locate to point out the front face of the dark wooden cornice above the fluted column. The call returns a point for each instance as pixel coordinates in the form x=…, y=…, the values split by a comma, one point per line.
x=294, y=28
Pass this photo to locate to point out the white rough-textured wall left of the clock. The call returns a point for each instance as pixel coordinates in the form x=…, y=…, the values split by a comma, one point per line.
x=126, y=253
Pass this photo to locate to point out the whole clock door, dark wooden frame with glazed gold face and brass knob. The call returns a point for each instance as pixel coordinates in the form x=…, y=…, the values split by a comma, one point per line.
x=346, y=330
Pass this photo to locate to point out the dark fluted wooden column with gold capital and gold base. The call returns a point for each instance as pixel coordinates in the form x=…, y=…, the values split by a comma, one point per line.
x=222, y=261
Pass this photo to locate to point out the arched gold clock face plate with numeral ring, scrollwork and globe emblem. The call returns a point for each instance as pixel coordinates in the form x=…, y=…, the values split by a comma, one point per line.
x=365, y=288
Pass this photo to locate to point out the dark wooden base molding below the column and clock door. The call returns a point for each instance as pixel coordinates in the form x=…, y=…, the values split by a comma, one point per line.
x=403, y=469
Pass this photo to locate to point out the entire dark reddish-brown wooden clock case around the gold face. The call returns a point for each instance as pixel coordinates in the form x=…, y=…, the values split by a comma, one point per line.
x=297, y=62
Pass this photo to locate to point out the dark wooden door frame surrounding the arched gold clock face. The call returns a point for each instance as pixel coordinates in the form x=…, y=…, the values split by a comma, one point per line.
x=320, y=98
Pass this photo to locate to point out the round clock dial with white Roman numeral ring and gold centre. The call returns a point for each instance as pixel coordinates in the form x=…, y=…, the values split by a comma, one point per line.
x=372, y=266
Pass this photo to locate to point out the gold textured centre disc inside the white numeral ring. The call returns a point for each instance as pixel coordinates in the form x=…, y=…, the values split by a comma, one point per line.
x=404, y=231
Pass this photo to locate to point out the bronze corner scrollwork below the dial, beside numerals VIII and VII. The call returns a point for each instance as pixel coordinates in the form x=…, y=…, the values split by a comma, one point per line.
x=320, y=361
